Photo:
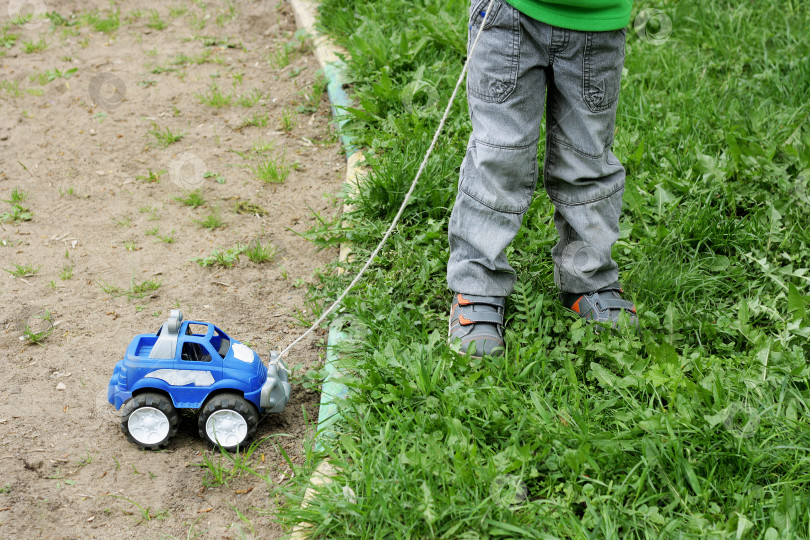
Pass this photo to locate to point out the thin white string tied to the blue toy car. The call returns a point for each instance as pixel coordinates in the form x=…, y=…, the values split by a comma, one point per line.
x=407, y=198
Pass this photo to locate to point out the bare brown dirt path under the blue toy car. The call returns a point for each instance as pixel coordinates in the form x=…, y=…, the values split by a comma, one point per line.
x=112, y=248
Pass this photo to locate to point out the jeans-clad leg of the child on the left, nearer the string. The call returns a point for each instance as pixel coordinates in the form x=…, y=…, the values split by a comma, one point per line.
x=506, y=86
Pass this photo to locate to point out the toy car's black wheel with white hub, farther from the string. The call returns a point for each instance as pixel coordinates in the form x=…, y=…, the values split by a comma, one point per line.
x=149, y=420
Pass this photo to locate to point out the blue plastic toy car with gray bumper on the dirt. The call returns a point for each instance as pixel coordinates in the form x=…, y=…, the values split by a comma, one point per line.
x=194, y=365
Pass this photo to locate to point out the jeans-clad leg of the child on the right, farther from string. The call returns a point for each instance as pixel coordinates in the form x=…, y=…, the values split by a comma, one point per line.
x=582, y=177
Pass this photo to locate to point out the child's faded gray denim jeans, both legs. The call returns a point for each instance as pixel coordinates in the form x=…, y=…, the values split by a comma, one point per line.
x=521, y=68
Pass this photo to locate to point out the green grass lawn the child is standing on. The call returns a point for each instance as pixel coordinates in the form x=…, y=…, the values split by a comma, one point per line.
x=696, y=429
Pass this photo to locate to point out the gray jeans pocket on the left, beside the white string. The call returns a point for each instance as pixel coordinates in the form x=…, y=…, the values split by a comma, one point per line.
x=492, y=73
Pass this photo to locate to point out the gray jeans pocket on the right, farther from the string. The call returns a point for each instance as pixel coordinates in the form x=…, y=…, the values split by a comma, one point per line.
x=602, y=73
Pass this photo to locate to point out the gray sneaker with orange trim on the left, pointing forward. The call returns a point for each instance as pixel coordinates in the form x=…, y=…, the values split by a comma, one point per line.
x=477, y=322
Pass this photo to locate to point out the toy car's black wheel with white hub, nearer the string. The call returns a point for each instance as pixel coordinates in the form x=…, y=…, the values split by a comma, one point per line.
x=228, y=421
